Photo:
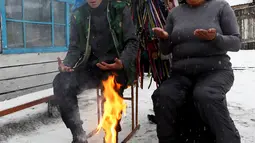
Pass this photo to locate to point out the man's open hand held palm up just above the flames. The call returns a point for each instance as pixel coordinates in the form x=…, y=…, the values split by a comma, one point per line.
x=115, y=66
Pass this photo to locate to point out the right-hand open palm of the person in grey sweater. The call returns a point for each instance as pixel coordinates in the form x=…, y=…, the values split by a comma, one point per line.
x=205, y=34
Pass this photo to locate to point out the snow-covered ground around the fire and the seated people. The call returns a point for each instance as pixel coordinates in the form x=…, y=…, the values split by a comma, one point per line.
x=33, y=126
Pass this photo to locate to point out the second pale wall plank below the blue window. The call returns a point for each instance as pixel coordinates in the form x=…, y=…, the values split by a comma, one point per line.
x=15, y=72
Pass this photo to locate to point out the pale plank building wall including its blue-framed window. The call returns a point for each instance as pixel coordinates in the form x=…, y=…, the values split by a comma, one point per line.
x=33, y=34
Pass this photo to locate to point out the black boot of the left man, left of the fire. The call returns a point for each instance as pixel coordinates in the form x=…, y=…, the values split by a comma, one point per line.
x=79, y=135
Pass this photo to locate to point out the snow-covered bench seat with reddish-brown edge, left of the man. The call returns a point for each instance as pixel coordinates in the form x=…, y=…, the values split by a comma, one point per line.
x=25, y=101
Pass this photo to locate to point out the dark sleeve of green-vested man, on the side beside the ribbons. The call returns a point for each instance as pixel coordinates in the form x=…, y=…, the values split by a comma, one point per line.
x=130, y=39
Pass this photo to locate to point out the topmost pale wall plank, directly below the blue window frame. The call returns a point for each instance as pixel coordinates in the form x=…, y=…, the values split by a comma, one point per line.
x=29, y=58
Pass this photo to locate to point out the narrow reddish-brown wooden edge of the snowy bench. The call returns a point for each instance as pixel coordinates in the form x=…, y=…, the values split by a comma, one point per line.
x=24, y=106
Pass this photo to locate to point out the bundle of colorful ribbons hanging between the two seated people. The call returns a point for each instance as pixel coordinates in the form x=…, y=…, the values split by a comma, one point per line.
x=148, y=14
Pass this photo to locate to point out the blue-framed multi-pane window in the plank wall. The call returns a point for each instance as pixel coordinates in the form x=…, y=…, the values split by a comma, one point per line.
x=35, y=25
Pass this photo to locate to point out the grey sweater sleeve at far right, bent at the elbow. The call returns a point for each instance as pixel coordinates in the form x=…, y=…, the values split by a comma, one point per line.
x=230, y=40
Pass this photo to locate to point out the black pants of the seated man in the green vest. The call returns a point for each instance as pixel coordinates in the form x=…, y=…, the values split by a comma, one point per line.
x=67, y=86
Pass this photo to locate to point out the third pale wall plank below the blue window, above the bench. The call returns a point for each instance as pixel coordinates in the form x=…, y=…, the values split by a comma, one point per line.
x=22, y=83
